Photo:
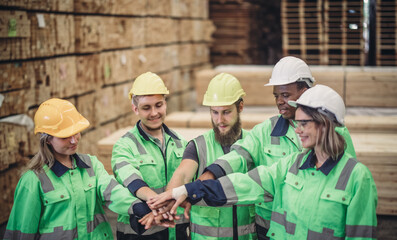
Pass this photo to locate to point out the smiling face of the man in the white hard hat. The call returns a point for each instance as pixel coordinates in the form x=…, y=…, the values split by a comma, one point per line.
x=283, y=94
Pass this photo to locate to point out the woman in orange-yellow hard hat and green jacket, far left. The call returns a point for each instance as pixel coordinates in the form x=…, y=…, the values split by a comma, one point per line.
x=62, y=194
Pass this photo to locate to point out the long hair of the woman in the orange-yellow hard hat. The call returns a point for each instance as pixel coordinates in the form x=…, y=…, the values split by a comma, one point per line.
x=44, y=155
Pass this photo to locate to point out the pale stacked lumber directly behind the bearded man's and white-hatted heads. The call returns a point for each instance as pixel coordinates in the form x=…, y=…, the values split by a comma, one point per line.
x=358, y=86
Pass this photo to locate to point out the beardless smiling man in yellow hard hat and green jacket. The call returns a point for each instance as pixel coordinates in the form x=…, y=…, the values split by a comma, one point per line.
x=144, y=159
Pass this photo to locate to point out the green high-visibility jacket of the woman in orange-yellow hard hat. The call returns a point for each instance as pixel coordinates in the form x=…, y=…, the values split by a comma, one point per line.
x=63, y=203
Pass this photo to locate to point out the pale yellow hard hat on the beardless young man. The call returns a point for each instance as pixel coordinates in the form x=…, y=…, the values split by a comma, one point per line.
x=148, y=84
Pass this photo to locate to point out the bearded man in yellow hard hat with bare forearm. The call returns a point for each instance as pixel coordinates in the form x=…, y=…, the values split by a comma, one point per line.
x=224, y=97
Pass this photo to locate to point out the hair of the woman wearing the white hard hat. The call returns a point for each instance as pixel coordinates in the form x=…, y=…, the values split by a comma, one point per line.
x=329, y=141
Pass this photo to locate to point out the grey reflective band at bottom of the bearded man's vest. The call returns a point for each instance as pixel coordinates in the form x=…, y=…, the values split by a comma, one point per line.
x=222, y=232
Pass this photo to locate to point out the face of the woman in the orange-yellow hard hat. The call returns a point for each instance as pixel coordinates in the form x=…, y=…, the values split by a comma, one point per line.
x=64, y=146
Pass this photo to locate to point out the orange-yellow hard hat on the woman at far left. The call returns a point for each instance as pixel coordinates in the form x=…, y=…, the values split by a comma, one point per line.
x=59, y=118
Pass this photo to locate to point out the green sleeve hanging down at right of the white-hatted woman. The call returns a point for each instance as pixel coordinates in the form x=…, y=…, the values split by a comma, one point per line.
x=361, y=219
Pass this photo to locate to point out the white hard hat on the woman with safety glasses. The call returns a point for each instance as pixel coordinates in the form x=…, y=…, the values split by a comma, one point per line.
x=325, y=100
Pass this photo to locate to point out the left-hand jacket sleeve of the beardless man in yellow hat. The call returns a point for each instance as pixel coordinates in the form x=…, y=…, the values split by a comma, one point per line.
x=125, y=166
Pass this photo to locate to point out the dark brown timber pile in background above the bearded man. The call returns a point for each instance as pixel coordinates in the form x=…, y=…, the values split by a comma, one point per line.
x=237, y=39
